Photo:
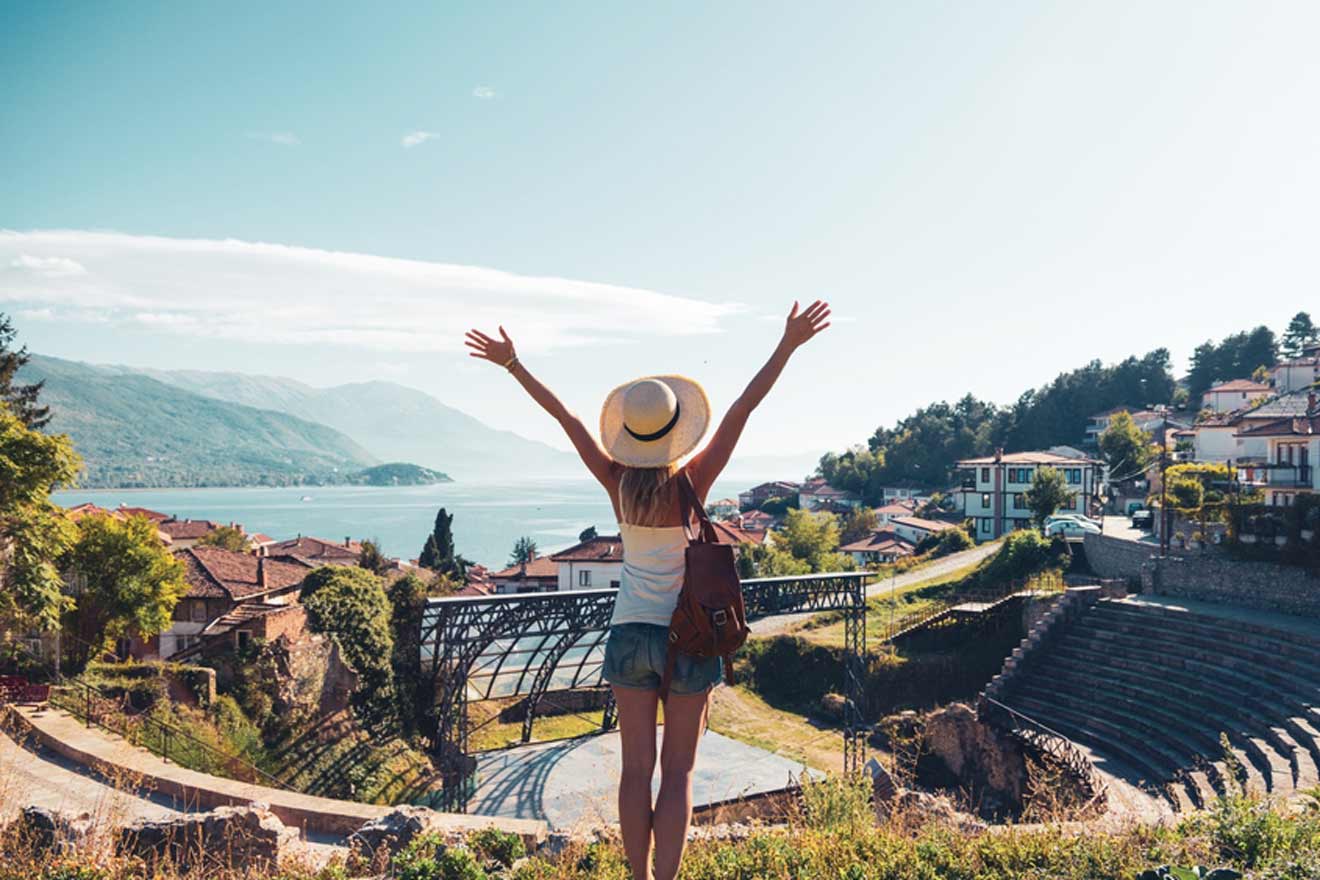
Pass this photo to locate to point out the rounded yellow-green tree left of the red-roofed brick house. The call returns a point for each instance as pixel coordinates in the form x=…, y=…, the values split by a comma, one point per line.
x=125, y=582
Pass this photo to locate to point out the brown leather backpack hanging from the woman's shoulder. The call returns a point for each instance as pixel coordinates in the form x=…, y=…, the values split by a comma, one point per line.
x=711, y=619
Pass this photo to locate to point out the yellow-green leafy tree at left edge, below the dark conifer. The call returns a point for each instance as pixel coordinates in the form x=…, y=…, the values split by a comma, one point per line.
x=34, y=532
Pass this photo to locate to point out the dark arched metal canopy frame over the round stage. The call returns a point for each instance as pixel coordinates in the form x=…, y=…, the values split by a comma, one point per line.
x=478, y=648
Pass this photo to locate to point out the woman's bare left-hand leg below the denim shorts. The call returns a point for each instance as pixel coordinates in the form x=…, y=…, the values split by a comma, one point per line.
x=638, y=736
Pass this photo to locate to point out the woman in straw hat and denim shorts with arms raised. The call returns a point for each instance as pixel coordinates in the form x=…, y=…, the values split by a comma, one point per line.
x=647, y=427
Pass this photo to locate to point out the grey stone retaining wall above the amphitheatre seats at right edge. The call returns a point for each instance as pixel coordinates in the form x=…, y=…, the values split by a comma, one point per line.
x=1256, y=585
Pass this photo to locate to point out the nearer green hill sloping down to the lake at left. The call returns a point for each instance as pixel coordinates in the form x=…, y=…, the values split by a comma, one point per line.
x=134, y=431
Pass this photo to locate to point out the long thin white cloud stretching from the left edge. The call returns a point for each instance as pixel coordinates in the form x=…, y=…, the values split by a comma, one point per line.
x=279, y=295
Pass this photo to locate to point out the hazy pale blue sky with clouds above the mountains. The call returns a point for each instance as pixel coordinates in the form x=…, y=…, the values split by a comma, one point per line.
x=989, y=193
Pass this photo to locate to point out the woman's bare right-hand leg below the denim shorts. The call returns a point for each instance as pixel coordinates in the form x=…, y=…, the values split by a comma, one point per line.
x=684, y=722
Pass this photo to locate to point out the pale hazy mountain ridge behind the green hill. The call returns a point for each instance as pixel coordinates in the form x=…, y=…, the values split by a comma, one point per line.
x=398, y=424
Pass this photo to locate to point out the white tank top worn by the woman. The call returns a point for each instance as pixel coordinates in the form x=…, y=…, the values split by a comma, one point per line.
x=653, y=575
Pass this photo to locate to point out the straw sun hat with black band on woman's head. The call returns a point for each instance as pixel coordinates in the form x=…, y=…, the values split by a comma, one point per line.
x=654, y=422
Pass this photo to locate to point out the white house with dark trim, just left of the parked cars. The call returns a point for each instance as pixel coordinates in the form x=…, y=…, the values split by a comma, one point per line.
x=996, y=487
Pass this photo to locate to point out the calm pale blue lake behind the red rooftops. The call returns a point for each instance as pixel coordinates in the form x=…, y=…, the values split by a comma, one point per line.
x=489, y=518
